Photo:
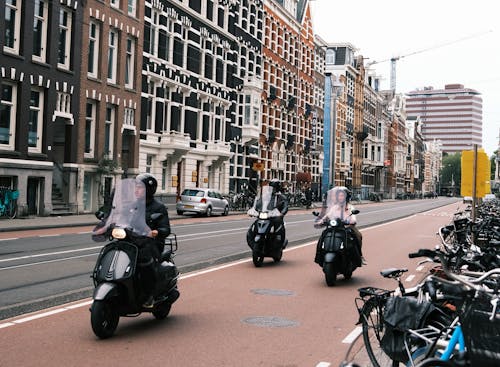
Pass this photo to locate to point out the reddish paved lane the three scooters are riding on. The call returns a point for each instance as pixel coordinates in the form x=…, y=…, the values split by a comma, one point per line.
x=234, y=314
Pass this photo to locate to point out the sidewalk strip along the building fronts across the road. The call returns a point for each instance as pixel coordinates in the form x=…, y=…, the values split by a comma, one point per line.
x=77, y=220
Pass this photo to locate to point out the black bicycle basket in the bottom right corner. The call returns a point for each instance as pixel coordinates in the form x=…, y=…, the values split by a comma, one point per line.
x=482, y=335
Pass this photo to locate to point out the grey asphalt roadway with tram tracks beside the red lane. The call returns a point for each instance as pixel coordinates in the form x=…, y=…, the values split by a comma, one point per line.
x=40, y=269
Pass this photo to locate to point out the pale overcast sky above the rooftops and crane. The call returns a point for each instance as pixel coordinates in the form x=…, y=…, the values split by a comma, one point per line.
x=462, y=38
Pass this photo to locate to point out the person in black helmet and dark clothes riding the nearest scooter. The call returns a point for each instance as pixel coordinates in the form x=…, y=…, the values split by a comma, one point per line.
x=151, y=250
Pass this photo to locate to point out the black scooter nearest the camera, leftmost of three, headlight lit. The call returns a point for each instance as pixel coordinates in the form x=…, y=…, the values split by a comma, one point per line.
x=117, y=282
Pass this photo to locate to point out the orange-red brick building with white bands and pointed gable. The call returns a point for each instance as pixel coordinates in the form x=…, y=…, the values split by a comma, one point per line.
x=289, y=52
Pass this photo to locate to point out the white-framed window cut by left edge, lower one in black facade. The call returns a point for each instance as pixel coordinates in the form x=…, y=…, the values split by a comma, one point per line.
x=8, y=116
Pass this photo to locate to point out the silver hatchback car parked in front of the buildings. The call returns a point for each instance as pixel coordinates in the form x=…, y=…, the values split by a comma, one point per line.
x=202, y=201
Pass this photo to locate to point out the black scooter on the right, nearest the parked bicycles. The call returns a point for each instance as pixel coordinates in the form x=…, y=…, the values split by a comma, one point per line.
x=338, y=250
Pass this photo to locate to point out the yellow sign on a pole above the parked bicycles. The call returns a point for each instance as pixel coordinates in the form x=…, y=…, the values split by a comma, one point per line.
x=482, y=173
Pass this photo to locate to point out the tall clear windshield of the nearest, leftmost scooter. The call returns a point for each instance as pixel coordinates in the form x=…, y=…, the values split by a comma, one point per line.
x=129, y=207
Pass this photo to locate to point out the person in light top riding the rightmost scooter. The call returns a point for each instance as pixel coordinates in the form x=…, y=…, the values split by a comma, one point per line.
x=342, y=210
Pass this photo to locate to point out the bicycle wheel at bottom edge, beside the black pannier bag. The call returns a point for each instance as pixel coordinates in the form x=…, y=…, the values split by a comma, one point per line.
x=373, y=330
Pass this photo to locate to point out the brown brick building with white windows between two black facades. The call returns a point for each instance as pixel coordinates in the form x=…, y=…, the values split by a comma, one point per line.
x=108, y=125
